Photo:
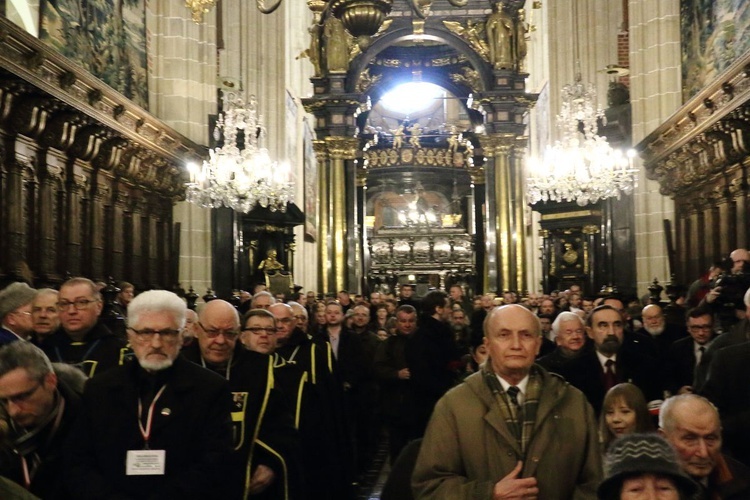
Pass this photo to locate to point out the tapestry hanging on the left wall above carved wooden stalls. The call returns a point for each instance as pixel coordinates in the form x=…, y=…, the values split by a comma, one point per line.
x=106, y=37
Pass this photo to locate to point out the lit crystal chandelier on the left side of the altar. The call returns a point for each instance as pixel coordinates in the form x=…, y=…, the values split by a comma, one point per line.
x=238, y=178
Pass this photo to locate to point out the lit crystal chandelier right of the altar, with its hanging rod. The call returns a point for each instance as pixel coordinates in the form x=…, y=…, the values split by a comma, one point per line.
x=581, y=166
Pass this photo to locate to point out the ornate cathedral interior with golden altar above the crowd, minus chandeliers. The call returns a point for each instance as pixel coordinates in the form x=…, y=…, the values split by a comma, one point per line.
x=409, y=127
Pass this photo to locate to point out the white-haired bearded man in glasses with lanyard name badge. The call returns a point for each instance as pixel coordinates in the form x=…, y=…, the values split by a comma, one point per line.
x=157, y=427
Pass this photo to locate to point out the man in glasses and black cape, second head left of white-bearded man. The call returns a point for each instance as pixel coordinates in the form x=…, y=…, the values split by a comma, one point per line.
x=82, y=340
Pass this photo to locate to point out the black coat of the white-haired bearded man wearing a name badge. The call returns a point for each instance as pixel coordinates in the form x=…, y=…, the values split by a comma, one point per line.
x=191, y=422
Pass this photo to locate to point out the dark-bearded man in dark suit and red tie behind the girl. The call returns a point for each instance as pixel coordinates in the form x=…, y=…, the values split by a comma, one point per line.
x=611, y=361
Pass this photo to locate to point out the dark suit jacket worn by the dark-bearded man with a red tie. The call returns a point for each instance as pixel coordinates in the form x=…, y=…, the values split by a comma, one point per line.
x=586, y=373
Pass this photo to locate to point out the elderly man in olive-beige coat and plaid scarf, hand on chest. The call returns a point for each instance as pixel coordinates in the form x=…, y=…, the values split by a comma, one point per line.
x=512, y=430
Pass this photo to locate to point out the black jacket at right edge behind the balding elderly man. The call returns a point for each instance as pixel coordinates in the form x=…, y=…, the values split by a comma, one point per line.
x=727, y=387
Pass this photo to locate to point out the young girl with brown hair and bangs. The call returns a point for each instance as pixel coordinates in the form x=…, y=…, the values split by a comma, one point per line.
x=624, y=411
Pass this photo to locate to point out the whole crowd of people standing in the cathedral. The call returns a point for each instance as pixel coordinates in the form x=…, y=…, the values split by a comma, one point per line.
x=544, y=396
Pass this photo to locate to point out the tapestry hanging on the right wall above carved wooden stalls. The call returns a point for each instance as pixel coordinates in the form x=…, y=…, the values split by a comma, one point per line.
x=714, y=34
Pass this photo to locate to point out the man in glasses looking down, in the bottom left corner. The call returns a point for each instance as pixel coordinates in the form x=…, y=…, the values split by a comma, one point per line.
x=40, y=403
